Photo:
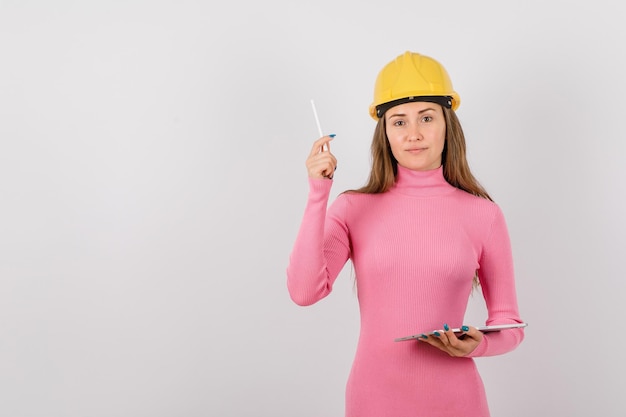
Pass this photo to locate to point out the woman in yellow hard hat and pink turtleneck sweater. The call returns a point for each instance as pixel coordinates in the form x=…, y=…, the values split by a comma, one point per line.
x=421, y=234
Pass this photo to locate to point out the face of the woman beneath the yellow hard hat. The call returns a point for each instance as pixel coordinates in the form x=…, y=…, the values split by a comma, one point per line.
x=416, y=132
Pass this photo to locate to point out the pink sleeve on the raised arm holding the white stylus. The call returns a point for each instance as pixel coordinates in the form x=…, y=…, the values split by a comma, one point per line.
x=320, y=251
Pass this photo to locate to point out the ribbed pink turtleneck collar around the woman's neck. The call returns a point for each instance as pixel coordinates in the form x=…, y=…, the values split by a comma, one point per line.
x=421, y=183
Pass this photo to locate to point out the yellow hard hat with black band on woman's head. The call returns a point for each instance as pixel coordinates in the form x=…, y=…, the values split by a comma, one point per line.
x=412, y=77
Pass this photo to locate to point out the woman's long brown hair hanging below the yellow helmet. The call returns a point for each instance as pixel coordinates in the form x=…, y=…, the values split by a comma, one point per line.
x=456, y=169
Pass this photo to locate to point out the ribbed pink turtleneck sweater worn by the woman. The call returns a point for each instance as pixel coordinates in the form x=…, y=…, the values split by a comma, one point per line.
x=415, y=249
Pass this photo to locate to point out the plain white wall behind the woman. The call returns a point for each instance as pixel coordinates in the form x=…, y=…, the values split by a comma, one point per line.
x=152, y=181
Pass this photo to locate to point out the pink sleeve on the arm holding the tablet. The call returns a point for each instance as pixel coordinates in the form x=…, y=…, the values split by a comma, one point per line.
x=498, y=286
